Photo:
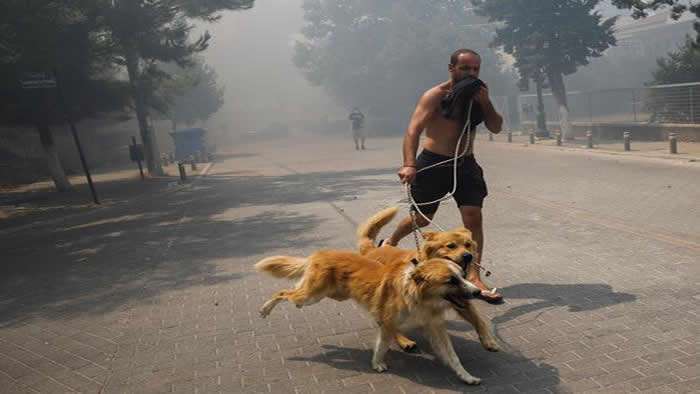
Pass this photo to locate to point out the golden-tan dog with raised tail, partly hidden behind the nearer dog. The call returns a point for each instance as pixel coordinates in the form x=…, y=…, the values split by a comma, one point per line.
x=456, y=246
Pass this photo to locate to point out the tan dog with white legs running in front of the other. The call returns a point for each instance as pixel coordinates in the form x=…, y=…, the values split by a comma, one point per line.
x=398, y=295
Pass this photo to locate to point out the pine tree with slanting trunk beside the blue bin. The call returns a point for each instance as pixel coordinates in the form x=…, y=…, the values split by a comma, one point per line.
x=145, y=33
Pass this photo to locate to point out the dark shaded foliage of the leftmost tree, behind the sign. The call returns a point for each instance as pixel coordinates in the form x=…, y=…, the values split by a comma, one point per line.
x=60, y=36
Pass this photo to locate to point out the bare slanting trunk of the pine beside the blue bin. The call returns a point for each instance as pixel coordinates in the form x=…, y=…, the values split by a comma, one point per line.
x=150, y=145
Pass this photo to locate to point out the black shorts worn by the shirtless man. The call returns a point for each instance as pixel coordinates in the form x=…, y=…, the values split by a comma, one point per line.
x=435, y=182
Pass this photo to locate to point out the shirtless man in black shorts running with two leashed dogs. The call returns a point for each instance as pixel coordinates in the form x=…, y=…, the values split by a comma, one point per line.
x=441, y=137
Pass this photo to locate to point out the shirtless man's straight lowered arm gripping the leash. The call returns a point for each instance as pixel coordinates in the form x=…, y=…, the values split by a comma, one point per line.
x=422, y=114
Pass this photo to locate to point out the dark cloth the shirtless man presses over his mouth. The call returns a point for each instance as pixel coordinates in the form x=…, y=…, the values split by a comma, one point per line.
x=455, y=105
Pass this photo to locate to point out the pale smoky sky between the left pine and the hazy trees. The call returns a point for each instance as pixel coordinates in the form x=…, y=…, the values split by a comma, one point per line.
x=252, y=53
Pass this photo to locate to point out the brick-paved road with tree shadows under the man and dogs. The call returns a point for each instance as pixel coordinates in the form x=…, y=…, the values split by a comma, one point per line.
x=597, y=255
